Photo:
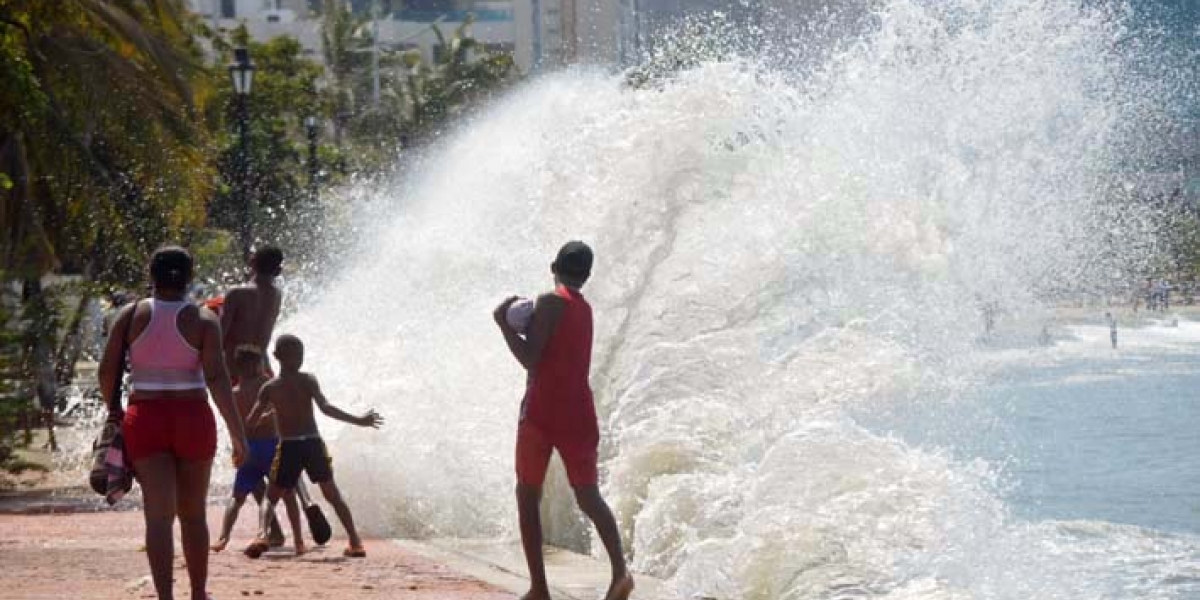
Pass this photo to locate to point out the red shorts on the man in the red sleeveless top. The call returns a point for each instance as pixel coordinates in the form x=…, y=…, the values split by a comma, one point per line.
x=535, y=447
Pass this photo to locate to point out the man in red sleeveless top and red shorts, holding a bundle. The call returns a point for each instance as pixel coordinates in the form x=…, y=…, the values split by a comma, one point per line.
x=559, y=415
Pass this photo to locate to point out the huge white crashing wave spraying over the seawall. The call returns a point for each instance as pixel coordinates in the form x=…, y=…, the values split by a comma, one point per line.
x=776, y=254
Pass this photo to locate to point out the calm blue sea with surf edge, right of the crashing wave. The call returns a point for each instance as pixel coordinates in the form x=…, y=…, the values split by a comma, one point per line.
x=1085, y=433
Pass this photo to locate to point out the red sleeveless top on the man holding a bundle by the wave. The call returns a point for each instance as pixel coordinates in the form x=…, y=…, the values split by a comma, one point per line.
x=559, y=399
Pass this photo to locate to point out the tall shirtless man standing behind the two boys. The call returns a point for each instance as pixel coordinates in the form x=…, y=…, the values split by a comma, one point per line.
x=250, y=311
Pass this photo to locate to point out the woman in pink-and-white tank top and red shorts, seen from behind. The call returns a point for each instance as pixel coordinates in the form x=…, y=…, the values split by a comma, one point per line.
x=171, y=436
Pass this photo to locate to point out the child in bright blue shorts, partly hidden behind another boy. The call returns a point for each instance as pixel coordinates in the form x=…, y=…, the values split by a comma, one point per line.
x=263, y=441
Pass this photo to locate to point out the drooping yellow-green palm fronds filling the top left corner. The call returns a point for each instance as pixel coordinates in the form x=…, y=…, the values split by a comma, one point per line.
x=99, y=135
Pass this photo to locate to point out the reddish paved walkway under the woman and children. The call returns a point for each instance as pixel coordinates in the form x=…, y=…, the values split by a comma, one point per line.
x=99, y=556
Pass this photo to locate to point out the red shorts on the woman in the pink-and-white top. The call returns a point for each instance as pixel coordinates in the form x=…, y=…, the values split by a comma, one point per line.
x=184, y=429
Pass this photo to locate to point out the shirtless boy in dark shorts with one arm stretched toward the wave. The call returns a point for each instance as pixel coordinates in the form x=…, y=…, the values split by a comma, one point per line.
x=292, y=395
